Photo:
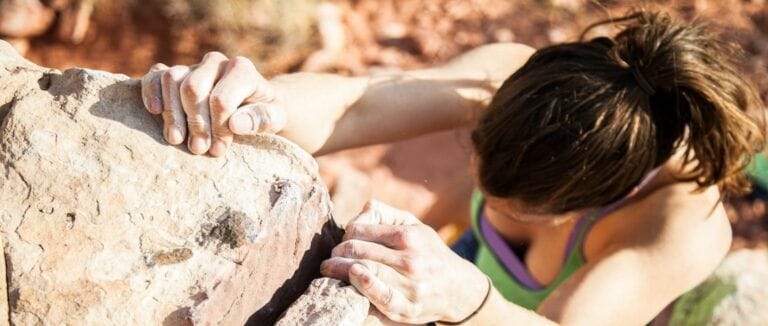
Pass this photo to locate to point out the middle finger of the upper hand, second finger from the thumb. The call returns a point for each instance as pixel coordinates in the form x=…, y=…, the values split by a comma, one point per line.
x=195, y=94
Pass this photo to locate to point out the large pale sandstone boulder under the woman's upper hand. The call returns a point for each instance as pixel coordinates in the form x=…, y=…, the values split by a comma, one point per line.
x=103, y=222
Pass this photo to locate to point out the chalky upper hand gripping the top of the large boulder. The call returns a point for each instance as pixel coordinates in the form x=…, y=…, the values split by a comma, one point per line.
x=210, y=102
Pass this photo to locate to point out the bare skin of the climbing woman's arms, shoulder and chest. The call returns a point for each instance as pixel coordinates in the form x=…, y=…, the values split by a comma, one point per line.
x=666, y=240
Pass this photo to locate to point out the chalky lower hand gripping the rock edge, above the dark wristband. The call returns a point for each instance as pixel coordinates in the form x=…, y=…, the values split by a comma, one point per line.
x=403, y=267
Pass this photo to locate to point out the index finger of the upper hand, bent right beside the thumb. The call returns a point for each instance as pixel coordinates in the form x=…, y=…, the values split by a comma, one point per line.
x=238, y=83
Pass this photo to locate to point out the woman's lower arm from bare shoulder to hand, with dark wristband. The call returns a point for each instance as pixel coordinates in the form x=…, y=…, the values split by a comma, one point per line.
x=407, y=272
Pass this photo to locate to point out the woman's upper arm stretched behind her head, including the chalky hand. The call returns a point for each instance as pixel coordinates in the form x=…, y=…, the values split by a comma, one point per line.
x=323, y=113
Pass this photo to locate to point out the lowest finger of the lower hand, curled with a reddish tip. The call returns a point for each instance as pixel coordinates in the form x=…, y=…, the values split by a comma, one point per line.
x=392, y=303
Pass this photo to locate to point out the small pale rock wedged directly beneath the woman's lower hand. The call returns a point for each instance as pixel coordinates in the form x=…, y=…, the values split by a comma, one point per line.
x=327, y=302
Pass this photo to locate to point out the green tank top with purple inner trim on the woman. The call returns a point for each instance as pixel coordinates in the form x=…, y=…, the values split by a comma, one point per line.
x=508, y=284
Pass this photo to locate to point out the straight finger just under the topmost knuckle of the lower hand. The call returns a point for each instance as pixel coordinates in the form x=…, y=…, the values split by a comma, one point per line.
x=392, y=236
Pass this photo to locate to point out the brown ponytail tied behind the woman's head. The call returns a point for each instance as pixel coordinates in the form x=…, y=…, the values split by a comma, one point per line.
x=704, y=95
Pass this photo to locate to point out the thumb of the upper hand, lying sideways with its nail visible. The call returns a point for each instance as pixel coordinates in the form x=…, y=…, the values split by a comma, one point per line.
x=254, y=118
